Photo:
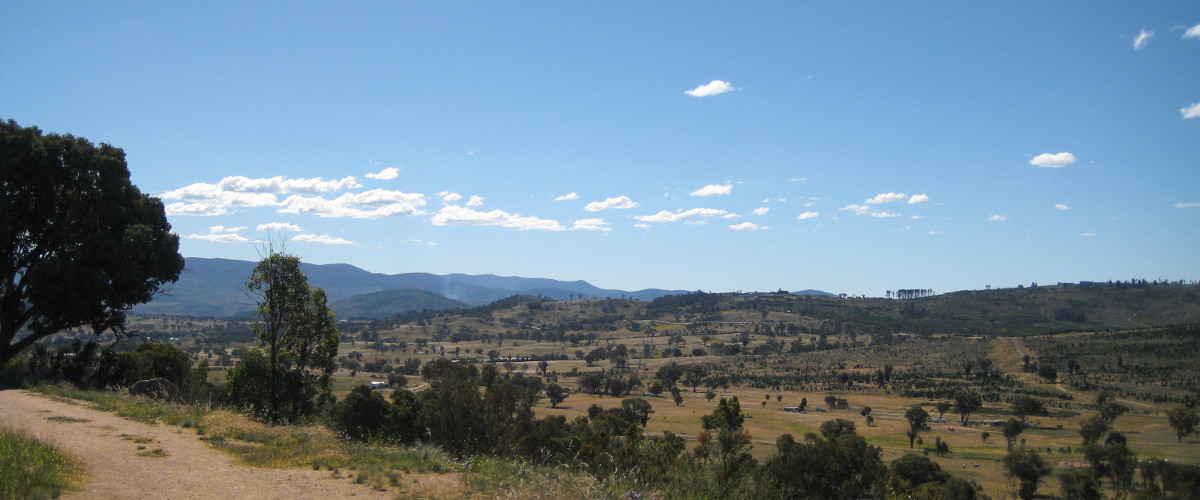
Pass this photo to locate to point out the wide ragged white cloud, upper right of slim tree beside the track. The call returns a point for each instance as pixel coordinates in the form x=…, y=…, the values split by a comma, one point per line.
x=368, y=204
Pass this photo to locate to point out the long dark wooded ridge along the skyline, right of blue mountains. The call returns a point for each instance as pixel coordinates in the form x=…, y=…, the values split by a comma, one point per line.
x=1030, y=311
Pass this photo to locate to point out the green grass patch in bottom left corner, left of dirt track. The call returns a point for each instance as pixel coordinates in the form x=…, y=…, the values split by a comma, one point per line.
x=31, y=469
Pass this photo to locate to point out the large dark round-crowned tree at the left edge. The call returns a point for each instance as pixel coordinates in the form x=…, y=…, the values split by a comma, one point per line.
x=80, y=244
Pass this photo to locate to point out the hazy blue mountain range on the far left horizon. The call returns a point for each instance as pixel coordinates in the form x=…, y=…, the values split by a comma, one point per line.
x=218, y=288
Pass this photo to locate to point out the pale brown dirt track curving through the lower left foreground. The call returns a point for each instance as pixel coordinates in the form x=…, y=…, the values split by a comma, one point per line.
x=187, y=469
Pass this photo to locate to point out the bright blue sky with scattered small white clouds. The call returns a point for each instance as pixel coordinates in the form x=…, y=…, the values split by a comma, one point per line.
x=848, y=147
